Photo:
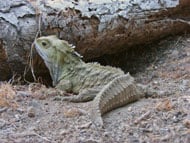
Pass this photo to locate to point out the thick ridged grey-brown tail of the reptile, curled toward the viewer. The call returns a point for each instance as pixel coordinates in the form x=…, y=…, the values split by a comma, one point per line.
x=119, y=92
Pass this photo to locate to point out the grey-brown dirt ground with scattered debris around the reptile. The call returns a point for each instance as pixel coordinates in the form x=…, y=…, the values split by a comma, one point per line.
x=29, y=116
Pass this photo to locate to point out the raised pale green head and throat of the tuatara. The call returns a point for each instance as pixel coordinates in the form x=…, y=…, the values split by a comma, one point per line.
x=56, y=54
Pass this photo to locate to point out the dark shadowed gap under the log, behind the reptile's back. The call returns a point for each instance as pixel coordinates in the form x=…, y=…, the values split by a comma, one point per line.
x=137, y=59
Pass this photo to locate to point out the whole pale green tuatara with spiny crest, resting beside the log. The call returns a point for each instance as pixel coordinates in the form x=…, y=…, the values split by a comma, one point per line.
x=110, y=87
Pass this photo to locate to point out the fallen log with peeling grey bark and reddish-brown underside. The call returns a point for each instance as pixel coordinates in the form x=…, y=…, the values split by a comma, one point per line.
x=96, y=28
